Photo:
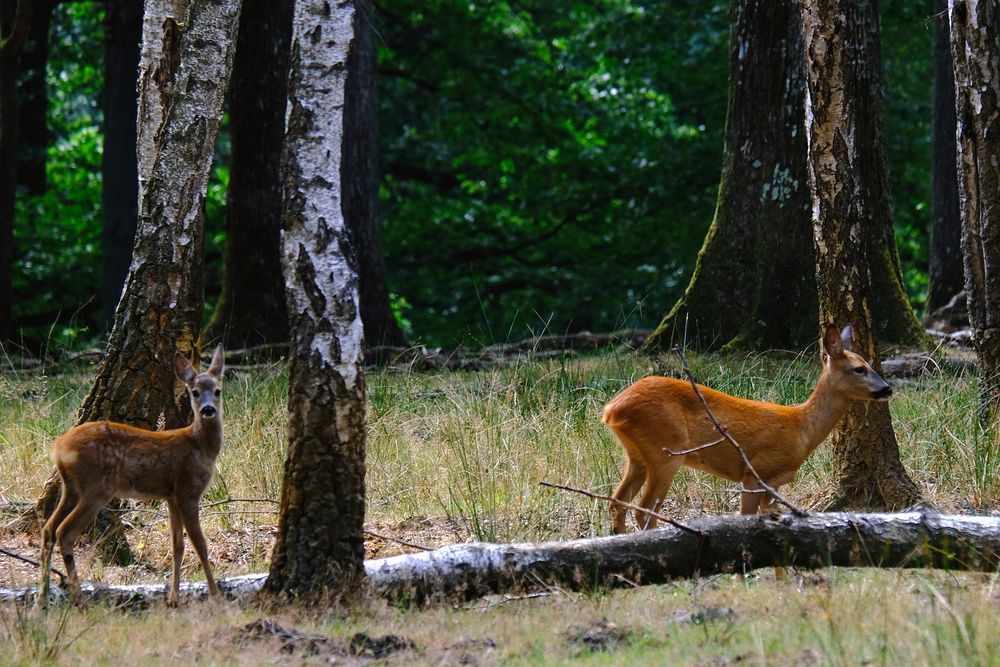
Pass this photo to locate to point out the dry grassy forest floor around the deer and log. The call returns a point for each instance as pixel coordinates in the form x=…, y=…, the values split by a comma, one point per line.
x=456, y=456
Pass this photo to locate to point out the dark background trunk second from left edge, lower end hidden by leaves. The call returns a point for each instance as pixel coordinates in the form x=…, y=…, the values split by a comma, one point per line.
x=33, y=101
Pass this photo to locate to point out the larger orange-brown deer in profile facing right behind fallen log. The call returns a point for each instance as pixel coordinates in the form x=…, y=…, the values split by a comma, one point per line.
x=658, y=419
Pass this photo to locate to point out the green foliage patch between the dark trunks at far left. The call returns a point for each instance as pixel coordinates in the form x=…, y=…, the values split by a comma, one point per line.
x=57, y=235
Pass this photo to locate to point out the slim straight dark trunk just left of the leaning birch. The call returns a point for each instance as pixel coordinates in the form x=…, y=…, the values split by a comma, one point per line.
x=120, y=188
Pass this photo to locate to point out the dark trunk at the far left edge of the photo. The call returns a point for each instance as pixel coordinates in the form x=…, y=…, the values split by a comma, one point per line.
x=15, y=20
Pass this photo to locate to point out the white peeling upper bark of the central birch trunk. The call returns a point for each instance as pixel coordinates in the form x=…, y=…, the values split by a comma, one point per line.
x=313, y=225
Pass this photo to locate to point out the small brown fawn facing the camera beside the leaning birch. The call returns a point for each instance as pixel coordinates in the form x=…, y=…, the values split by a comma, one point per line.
x=98, y=461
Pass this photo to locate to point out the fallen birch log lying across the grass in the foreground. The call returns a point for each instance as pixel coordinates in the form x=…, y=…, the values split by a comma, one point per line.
x=721, y=544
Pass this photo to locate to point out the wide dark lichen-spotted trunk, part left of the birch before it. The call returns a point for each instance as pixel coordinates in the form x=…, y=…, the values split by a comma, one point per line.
x=754, y=275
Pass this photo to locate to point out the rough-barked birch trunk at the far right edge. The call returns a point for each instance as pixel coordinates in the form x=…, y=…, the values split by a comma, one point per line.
x=976, y=57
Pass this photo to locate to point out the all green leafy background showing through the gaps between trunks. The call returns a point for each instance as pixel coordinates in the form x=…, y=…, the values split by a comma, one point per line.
x=547, y=166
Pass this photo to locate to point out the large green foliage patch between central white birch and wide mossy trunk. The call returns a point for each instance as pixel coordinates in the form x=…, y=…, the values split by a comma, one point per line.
x=547, y=167
